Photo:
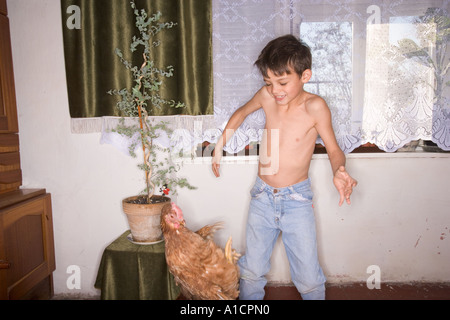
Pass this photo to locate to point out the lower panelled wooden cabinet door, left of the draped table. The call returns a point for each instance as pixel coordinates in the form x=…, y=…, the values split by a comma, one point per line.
x=28, y=246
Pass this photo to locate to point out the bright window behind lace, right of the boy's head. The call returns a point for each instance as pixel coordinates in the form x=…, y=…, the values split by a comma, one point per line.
x=381, y=69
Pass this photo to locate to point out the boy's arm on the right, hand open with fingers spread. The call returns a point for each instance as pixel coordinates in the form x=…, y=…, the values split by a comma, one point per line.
x=343, y=182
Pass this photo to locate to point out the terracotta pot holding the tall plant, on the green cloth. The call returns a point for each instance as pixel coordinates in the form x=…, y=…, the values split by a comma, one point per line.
x=144, y=219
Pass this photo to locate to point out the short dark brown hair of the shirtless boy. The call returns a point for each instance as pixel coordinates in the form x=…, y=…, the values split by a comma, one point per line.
x=284, y=54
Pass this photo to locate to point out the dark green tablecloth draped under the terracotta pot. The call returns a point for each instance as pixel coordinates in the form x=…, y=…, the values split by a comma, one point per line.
x=131, y=271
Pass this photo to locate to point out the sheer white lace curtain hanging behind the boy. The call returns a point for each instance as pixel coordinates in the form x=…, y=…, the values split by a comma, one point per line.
x=382, y=66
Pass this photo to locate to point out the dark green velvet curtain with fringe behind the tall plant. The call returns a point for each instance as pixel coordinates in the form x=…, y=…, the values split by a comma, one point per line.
x=93, y=68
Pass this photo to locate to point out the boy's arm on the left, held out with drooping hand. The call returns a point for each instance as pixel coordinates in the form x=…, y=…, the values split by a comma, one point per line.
x=233, y=124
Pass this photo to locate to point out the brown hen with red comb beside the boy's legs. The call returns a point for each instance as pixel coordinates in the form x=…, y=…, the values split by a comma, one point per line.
x=203, y=270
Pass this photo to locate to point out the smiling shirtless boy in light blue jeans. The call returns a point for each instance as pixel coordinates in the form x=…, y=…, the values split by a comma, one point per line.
x=282, y=196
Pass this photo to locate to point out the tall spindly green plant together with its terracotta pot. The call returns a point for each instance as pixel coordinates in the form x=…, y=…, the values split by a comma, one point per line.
x=144, y=211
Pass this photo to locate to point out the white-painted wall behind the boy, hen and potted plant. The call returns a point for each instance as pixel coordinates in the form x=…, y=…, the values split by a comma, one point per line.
x=399, y=218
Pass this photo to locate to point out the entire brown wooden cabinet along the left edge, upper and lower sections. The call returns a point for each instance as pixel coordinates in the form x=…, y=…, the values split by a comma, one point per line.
x=27, y=255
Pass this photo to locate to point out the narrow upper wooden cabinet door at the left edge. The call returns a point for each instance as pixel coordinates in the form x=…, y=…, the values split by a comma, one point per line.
x=8, y=112
